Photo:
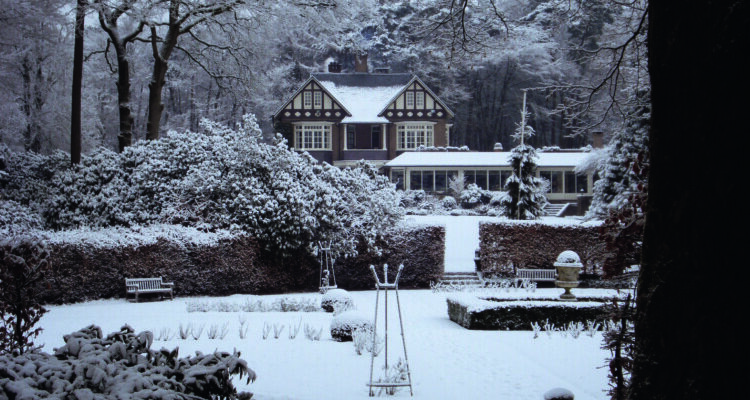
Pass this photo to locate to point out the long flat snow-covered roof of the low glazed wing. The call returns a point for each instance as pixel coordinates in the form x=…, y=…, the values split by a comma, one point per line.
x=481, y=159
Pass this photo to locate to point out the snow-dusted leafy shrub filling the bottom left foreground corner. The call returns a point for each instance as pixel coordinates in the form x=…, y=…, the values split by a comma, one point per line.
x=90, y=366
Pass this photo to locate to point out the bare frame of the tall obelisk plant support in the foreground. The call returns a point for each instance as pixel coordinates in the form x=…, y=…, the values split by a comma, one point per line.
x=386, y=383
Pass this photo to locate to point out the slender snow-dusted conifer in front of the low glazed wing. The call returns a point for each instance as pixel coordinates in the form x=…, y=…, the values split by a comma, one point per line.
x=526, y=199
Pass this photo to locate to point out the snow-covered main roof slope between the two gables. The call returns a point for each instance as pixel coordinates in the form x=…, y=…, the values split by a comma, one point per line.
x=363, y=95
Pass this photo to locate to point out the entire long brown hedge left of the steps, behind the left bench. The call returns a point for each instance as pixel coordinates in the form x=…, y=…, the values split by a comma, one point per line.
x=82, y=271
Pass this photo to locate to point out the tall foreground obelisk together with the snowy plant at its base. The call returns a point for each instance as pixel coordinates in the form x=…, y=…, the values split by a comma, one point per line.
x=397, y=375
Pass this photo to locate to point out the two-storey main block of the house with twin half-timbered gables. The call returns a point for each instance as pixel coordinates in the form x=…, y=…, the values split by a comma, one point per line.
x=342, y=118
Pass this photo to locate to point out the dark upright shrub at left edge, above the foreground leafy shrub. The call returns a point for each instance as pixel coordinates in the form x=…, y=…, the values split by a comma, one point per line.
x=23, y=261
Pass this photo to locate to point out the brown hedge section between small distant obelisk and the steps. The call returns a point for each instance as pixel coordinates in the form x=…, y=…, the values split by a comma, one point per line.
x=420, y=249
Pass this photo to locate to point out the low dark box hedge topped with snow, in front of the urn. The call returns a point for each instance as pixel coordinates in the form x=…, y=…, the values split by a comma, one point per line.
x=518, y=315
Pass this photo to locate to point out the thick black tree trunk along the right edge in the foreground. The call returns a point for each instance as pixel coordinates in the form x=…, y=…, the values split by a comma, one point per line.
x=684, y=343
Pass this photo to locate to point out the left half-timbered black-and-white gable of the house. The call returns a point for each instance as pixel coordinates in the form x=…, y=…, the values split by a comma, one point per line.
x=312, y=102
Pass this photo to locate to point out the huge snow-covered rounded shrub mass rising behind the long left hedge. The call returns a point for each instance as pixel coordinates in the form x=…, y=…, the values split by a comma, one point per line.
x=217, y=178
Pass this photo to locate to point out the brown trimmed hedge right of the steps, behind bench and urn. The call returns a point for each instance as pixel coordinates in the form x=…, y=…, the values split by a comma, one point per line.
x=535, y=245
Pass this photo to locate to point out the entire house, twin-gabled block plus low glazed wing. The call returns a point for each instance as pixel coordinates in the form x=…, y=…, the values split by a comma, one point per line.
x=384, y=118
